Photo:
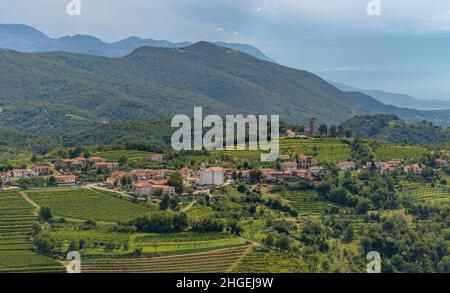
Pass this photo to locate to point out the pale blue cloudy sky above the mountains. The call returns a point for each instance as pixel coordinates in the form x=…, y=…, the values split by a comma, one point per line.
x=337, y=39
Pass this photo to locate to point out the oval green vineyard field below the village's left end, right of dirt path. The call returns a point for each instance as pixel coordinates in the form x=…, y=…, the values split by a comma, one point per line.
x=88, y=204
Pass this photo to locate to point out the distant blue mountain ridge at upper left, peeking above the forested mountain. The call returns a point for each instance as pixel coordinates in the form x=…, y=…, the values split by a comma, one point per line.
x=24, y=38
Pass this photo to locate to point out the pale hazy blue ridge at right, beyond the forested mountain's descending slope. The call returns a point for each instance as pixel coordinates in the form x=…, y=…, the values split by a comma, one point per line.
x=399, y=100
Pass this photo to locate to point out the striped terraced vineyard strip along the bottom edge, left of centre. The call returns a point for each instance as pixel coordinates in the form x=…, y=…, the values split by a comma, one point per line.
x=216, y=261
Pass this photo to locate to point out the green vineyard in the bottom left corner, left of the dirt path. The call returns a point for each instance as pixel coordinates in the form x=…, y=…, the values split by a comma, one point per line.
x=16, y=249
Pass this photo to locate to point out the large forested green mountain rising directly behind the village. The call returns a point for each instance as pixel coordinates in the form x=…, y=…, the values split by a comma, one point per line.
x=66, y=98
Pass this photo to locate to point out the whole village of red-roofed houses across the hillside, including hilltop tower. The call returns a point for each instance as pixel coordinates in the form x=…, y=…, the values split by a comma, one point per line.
x=161, y=180
